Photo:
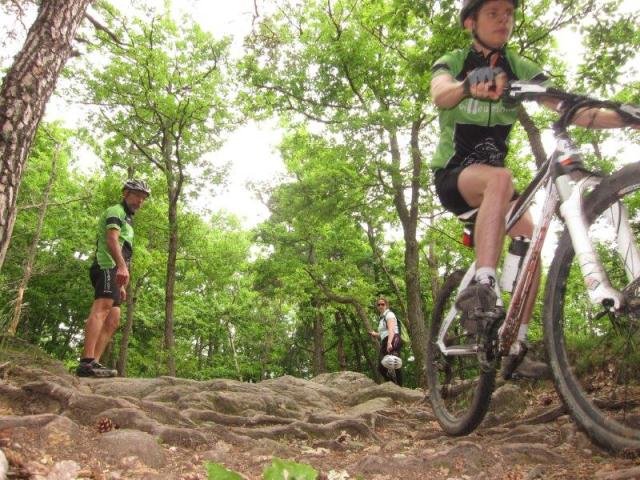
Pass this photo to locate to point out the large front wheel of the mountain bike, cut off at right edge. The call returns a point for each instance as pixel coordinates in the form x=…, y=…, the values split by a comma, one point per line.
x=595, y=355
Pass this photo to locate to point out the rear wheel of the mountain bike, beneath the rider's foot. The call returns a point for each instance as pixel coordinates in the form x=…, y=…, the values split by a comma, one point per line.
x=459, y=388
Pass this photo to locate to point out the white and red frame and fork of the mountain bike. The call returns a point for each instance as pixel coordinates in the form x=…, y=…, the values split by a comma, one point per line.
x=565, y=182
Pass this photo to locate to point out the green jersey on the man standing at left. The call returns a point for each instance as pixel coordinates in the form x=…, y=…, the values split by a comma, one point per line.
x=117, y=217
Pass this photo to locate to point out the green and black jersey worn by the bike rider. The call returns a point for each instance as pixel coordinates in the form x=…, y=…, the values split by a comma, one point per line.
x=476, y=131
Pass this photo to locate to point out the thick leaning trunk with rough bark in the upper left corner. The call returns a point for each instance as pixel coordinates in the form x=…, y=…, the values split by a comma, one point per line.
x=25, y=91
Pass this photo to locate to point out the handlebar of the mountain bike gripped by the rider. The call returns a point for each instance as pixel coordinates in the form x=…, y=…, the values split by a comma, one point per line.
x=571, y=103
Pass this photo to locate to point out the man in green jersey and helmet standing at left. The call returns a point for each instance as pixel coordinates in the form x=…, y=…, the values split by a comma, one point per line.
x=109, y=276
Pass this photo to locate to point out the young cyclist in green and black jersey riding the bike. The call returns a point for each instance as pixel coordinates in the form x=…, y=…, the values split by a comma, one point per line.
x=468, y=164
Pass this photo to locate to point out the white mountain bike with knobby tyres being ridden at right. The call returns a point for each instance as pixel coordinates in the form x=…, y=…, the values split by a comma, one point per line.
x=591, y=318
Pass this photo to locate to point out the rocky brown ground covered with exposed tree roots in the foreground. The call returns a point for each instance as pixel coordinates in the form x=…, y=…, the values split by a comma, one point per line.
x=56, y=426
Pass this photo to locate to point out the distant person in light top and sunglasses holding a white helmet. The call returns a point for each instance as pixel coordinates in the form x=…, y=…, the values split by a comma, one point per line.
x=389, y=363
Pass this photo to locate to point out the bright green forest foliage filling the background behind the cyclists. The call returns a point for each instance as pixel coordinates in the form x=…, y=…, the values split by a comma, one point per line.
x=348, y=80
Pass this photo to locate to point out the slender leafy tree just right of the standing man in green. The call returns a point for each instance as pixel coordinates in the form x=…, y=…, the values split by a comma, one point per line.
x=163, y=99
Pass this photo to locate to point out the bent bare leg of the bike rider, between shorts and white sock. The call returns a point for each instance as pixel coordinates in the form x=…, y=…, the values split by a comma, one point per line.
x=490, y=189
